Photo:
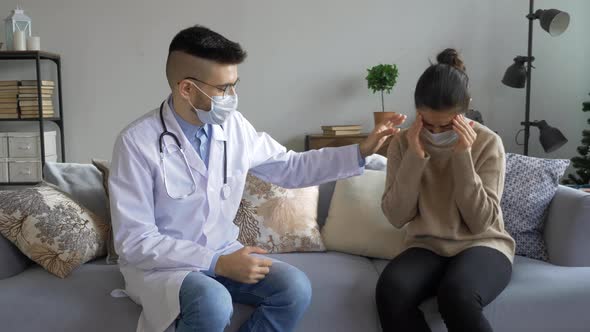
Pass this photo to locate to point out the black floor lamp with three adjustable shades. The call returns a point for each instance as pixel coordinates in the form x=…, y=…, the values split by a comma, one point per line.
x=555, y=22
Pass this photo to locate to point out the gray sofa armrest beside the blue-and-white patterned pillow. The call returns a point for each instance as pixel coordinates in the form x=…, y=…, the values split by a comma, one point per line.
x=567, y=228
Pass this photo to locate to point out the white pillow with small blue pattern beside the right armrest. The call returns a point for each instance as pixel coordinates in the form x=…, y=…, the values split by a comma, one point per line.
x=529, y=188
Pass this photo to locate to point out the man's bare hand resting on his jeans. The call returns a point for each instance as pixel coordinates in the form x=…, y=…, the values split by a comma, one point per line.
x=242, y=267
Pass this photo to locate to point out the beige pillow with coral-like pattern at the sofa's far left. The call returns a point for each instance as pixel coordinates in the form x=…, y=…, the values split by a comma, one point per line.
x=51, y=229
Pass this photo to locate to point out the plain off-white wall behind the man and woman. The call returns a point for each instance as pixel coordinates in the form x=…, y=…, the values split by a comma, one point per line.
x=307, y=61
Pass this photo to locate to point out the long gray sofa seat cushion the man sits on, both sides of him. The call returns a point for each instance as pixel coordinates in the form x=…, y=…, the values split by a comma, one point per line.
x=343, y=298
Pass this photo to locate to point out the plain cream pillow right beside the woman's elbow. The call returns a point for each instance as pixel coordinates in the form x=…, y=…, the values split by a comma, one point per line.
x=356, y=224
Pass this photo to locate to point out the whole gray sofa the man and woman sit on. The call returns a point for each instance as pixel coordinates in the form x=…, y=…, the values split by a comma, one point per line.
x=542, y=296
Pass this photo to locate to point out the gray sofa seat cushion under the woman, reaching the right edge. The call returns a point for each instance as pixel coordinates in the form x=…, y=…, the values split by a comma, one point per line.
x=540, y=297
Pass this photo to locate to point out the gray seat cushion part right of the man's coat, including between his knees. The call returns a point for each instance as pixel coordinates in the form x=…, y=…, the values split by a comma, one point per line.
x=343, y=293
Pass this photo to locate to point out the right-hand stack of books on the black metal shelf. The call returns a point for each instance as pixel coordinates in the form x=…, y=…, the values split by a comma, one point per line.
x=28, y=99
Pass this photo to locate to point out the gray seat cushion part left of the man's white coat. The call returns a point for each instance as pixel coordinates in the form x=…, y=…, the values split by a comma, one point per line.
x=36, y=301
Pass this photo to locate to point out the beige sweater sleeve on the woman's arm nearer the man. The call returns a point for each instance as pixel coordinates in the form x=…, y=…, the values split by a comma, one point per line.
x=402, y=186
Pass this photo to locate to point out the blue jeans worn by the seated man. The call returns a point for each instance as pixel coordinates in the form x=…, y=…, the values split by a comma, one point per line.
x=280, y=300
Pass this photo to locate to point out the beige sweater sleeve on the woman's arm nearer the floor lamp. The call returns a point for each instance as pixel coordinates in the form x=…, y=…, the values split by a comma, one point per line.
x=479, y=186
